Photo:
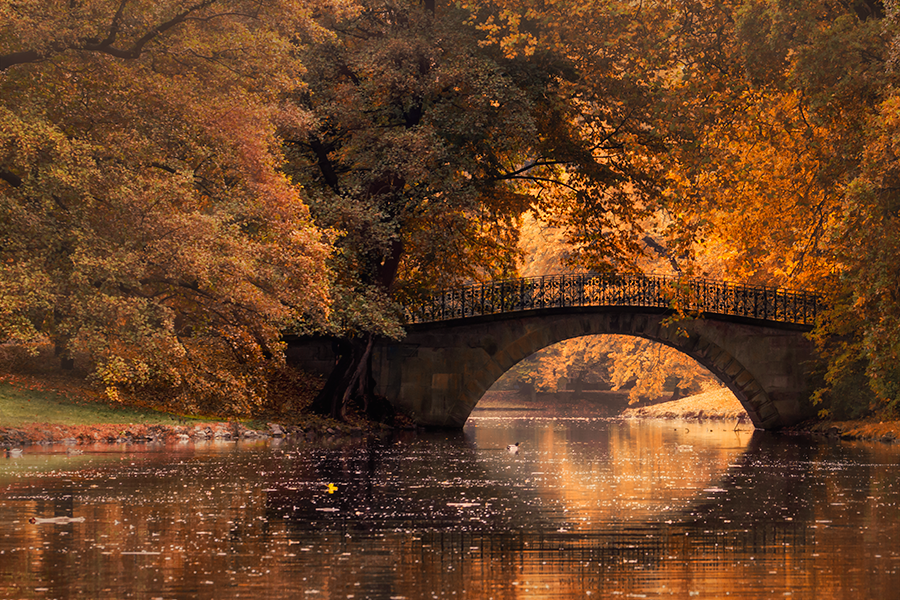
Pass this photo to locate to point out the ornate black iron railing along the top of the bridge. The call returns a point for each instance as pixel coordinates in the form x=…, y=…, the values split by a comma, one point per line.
x=595, y=289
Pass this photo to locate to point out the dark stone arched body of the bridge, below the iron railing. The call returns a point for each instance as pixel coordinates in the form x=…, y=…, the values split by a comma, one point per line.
x=441, y=370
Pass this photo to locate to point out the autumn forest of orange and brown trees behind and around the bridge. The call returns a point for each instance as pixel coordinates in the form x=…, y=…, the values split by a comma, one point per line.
x=184, y=181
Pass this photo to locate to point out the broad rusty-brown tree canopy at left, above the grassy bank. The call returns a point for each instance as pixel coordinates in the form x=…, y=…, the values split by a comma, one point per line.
x=144, y=221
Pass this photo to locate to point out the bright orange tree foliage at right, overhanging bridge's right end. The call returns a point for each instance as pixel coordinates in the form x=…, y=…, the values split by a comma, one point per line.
x=788, y=180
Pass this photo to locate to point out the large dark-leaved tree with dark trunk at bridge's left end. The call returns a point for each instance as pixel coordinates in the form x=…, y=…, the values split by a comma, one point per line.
x=431, y=137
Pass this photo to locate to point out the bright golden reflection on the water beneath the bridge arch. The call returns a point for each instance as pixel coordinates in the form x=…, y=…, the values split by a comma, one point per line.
x=617, y=472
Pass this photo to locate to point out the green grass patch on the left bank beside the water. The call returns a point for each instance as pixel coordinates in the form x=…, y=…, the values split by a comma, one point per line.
x=20, y=407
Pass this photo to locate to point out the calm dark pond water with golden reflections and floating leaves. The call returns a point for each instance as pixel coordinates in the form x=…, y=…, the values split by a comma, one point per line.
x=587, y=508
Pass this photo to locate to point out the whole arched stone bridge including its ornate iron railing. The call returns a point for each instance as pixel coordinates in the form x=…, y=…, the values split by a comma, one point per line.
x=459, y=342
